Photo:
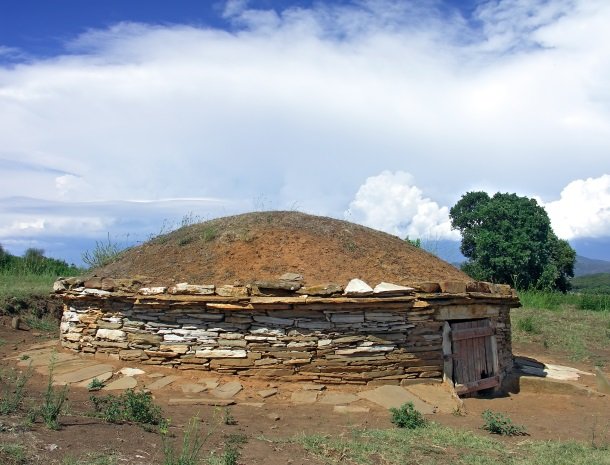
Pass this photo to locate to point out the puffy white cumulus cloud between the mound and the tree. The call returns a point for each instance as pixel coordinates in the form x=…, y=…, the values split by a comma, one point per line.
x=392, y=203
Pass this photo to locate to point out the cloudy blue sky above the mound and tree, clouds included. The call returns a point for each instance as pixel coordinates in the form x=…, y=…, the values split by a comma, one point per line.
x=121, y=117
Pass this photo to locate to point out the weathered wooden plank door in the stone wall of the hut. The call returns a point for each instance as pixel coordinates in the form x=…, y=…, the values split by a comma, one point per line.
x=474, y=356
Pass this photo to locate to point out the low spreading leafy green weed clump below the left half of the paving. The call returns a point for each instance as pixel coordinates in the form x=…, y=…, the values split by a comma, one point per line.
x=136, y=407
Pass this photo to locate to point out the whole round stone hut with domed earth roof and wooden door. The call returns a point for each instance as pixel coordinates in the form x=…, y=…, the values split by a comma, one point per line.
x=285, y=295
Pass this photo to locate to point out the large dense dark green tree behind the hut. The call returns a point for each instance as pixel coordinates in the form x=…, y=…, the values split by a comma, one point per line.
x=509, y=239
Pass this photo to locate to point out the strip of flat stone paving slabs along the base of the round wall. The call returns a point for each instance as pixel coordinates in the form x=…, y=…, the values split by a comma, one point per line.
x=186, y=389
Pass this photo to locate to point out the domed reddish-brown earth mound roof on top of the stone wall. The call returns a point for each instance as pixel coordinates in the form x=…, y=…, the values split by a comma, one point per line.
x=264, y=245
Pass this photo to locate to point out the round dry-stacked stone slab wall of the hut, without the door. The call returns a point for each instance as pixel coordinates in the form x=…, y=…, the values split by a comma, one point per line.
x=387, y=335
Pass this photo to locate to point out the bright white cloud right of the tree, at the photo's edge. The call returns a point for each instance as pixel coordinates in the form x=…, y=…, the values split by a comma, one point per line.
x=583, y=209
